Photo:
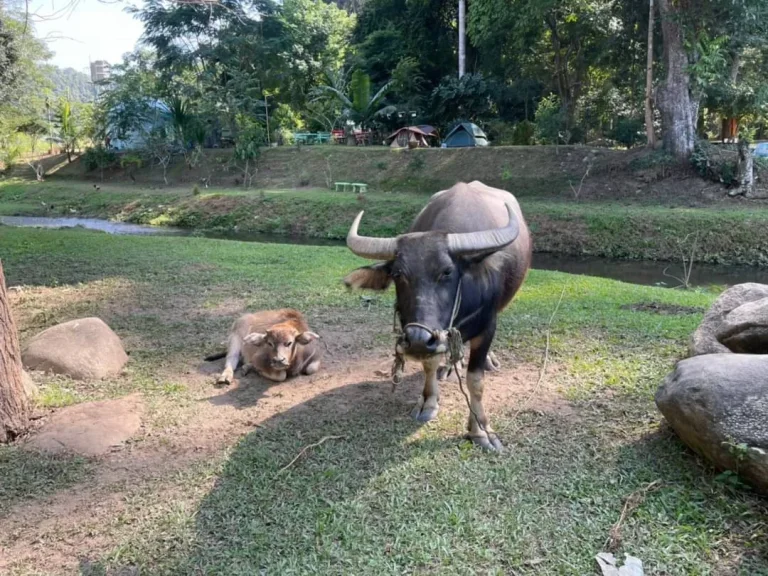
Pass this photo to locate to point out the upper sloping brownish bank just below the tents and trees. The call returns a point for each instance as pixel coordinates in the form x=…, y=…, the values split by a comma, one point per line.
x=568, y=173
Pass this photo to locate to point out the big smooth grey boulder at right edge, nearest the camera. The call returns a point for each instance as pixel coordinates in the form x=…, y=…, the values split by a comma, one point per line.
x=717, y=402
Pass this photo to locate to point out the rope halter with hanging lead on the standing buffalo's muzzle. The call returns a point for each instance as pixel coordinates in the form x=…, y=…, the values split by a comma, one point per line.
x=454, y=348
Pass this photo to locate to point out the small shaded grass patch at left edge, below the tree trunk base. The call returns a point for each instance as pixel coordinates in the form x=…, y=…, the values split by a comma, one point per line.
x=28, y=475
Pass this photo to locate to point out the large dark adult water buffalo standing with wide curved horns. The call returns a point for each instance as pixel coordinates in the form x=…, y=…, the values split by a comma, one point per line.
x=470, y=244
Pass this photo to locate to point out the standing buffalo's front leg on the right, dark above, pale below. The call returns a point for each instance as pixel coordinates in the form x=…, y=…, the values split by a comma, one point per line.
x=480, y=431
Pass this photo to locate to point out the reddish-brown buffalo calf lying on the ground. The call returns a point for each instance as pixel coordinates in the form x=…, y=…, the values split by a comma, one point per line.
x=277, y=344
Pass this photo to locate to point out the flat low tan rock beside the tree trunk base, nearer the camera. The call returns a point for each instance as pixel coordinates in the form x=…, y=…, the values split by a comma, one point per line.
x=90, y=429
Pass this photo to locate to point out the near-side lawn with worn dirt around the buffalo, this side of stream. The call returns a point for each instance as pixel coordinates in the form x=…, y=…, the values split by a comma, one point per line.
x=201, y=490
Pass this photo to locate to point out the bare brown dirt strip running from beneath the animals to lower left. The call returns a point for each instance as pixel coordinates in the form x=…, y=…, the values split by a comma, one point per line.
x=80, y=522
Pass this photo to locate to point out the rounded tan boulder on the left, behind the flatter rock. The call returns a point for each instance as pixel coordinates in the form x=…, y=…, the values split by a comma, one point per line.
x=82, y=349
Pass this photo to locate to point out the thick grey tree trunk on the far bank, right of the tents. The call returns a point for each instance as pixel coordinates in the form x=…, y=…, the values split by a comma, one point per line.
x=679, y=109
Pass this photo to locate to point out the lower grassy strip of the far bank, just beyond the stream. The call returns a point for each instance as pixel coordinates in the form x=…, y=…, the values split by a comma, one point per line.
x=723, y=235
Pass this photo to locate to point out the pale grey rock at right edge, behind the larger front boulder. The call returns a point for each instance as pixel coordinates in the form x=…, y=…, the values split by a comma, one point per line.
x=736, y=322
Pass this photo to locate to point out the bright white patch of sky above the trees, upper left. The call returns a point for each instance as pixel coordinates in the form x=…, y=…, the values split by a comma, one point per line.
x=88, y=30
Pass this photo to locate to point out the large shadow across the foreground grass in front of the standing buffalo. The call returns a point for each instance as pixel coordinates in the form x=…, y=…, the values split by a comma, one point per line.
x=391, y=497
